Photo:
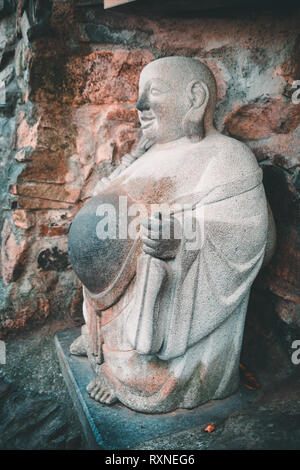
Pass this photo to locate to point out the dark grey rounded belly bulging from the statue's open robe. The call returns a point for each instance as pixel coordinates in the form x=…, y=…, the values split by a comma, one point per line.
x=104, y=262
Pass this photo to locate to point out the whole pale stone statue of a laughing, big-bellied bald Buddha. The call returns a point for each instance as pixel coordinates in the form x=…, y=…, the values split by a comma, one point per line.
x=164, y=315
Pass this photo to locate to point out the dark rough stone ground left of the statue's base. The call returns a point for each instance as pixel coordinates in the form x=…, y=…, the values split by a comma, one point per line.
x=35, y=410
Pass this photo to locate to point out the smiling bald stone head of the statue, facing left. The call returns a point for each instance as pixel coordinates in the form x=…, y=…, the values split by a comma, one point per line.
x=169, y=90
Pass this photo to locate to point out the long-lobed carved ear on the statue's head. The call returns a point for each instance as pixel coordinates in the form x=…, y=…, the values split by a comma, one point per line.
x=198, y=94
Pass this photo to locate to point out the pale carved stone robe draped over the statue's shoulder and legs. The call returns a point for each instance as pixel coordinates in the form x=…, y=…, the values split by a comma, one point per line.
x=174, y=339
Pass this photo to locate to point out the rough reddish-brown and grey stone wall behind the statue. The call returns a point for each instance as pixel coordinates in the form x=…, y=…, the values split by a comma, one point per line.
x=72, y=116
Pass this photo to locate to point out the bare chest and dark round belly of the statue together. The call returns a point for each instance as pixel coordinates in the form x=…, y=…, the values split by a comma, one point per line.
x=106, y=265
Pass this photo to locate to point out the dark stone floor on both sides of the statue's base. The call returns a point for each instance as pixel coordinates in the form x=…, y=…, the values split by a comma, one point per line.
x=36, y=411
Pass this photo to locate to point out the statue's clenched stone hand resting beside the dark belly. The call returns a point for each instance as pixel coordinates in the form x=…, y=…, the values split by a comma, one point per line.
x=160, y=236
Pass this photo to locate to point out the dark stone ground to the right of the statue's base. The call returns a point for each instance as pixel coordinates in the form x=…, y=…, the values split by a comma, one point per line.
x=272, y=422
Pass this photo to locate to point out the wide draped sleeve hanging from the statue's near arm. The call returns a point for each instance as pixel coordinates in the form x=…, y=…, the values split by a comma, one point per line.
x=208, y=283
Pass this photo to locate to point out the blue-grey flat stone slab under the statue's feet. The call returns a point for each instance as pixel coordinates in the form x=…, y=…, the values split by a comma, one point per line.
x=117, y=427
